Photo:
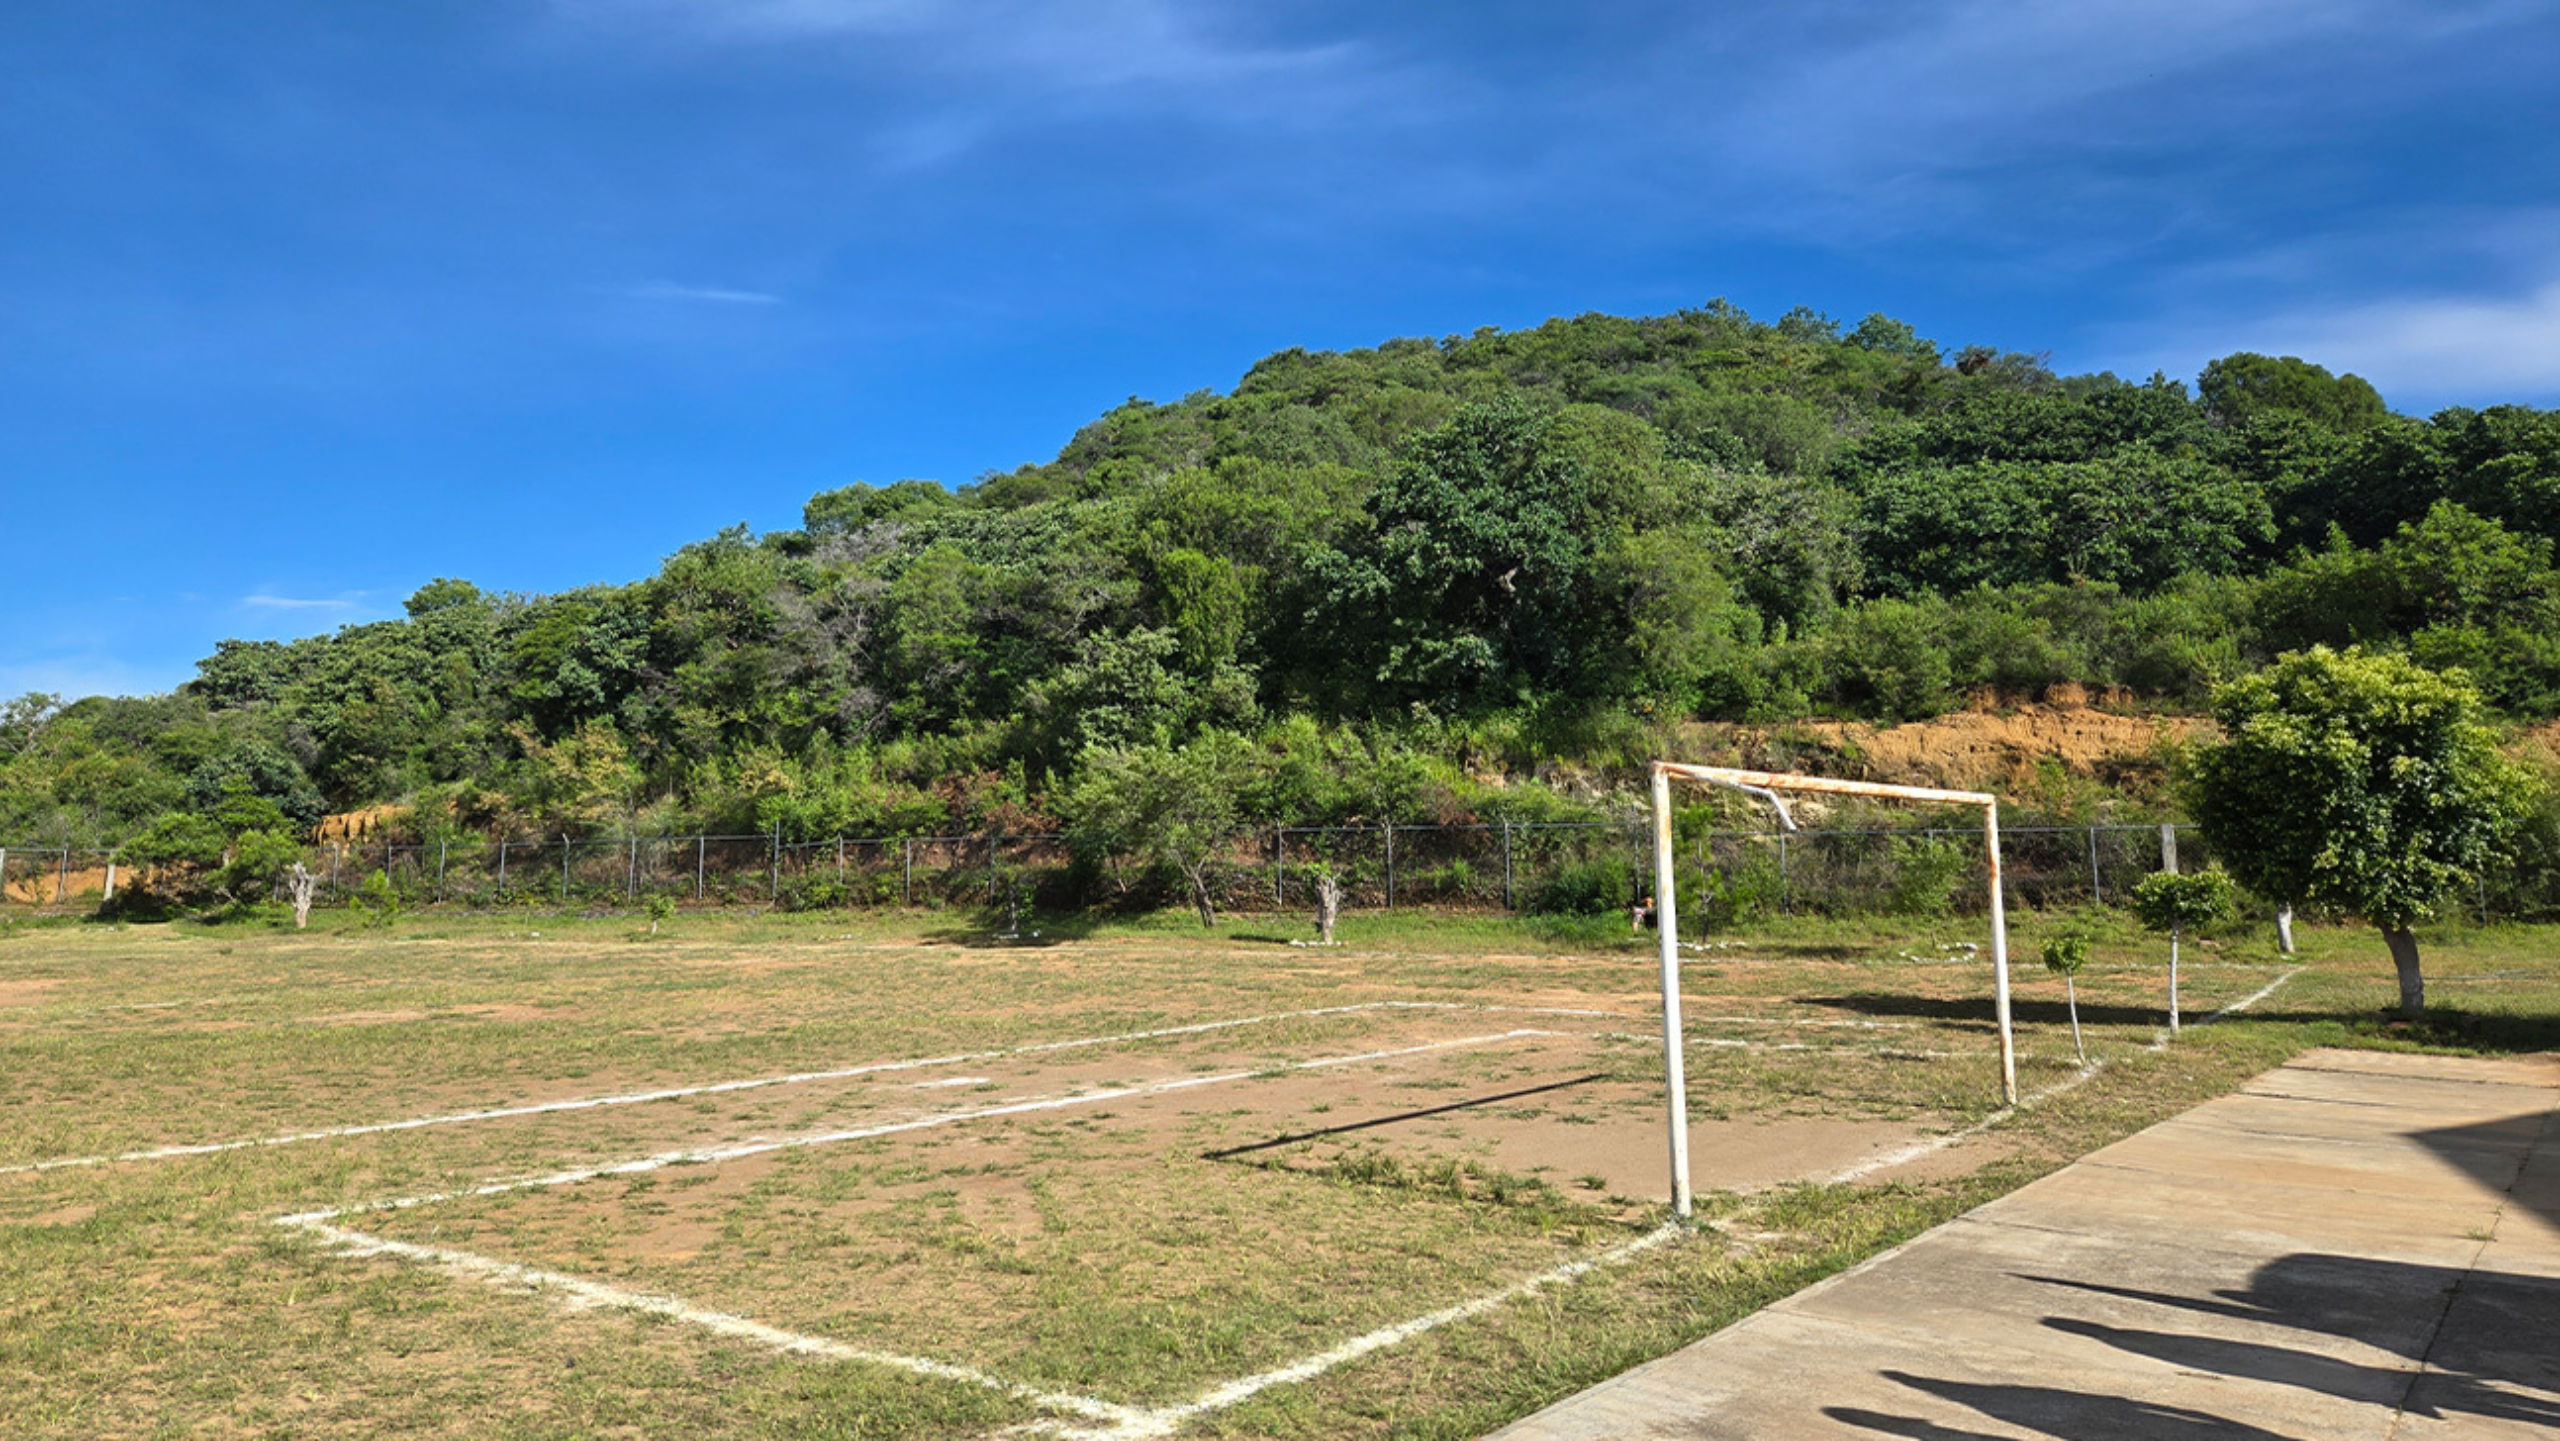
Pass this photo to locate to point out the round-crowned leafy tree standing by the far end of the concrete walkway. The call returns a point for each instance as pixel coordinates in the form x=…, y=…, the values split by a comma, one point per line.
x=2356, y=782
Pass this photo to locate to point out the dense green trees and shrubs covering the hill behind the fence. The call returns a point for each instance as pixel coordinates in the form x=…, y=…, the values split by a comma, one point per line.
x=1384, y=575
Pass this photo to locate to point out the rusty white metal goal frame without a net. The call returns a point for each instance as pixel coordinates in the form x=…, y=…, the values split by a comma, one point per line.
x=1768, y=784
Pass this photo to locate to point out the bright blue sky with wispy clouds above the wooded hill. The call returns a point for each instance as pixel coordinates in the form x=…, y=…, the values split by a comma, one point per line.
x=306, y=303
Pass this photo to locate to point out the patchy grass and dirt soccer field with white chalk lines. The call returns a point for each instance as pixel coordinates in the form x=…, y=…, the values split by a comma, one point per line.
x=764, y=1179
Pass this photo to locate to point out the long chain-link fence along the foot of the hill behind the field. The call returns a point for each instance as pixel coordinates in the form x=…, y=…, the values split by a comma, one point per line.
x=1545, y=866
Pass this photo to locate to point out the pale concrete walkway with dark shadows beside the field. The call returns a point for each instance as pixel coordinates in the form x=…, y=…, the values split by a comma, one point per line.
x=2356, y=1245
